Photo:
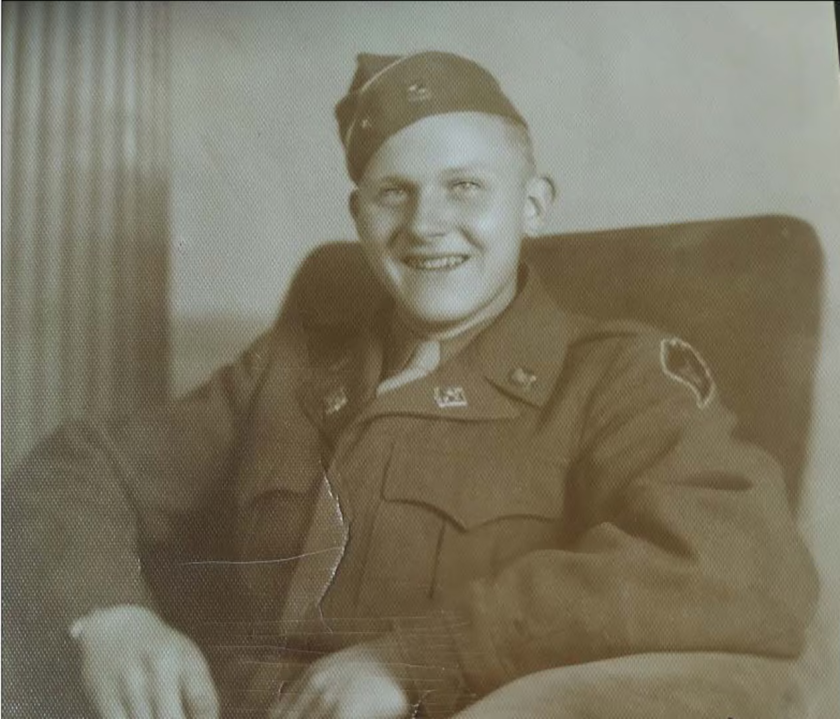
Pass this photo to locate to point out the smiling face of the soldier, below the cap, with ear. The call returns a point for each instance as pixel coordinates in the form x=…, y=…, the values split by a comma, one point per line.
x=442, y=208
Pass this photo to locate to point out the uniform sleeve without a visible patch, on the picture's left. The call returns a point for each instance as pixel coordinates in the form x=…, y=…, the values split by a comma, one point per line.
x=78, y=509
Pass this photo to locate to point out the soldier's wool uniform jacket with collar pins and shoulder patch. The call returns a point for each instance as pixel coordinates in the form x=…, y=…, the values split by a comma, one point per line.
x=560, y=491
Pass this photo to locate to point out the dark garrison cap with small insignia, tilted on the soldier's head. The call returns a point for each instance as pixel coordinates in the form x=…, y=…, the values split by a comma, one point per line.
x=390, y=92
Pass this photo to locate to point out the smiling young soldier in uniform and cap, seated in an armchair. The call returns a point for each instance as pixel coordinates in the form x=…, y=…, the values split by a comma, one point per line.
x=471, y=488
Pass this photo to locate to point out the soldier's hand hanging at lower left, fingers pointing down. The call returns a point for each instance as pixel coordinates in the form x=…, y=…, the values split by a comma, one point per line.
x=134, y=666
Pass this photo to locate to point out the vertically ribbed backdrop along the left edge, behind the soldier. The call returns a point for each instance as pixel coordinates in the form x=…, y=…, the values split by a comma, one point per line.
x=85, y=213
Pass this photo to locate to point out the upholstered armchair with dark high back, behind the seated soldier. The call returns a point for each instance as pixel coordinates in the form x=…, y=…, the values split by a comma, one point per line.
x=746, y=293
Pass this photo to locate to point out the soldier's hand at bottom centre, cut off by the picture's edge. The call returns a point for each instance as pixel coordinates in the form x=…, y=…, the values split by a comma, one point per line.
x=355, y=683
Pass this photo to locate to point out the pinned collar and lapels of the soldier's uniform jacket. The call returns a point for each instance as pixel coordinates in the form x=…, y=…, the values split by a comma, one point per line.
x=518, y=357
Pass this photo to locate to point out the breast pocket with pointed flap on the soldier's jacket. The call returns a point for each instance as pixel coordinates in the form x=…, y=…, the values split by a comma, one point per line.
x=498, y=500
